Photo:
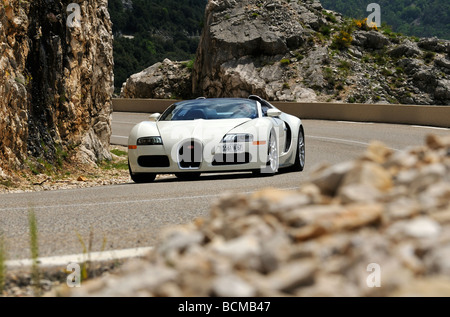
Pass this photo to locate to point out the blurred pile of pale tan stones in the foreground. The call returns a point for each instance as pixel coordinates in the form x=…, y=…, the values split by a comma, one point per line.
x=386, y=212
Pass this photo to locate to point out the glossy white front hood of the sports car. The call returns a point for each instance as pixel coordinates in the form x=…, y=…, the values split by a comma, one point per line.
x=206, y=131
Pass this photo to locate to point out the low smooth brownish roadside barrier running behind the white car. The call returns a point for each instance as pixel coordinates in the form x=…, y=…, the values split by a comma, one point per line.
x=435, y=116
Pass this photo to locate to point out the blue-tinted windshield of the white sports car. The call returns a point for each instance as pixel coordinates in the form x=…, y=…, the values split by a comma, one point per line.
x=211, y=109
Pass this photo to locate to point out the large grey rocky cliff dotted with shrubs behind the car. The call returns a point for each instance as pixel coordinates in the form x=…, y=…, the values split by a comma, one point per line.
x=297, y=51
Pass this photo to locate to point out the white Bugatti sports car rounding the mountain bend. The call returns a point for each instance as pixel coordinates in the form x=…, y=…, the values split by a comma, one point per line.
x=216, y=135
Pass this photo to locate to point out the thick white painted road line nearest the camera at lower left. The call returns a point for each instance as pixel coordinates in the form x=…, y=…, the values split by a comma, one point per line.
x=64, y=260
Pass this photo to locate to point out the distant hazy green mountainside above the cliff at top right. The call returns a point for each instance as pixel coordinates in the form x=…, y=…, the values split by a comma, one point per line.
x=421, y=18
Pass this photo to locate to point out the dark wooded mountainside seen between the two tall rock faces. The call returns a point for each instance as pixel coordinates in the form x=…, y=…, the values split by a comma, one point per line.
x=148, y=31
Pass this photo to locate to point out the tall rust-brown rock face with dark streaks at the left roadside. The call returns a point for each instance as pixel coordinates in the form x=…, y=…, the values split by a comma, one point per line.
x=56, y=81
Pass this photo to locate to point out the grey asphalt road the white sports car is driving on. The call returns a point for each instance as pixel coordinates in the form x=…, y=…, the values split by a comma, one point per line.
x=133, y=215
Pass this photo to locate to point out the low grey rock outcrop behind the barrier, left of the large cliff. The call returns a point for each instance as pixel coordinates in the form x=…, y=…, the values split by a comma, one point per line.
x=166, y=80
